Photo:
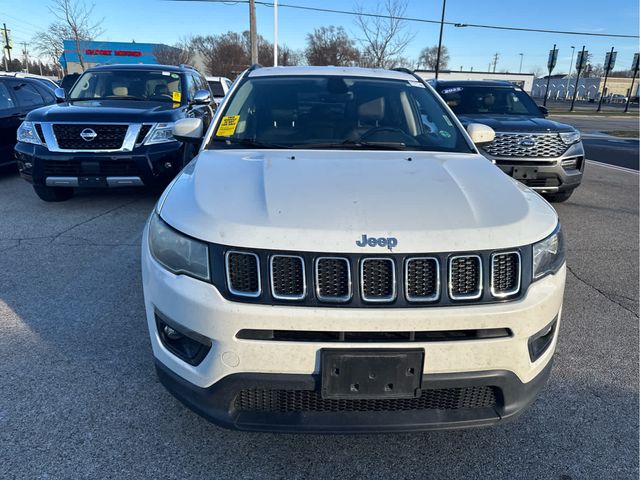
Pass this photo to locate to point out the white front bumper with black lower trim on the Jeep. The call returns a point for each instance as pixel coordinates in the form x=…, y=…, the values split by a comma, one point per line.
x=233, y=364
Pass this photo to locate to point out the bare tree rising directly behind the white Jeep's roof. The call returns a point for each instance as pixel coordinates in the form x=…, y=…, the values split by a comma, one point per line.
x=384, y=36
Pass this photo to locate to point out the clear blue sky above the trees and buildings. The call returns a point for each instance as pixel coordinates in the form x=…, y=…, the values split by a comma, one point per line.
x=167, y=21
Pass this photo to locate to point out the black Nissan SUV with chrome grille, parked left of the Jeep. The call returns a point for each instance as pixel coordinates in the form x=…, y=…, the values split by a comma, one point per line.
x=113, y=129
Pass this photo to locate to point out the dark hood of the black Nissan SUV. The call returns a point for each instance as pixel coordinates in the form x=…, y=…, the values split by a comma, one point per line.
x=121, y=111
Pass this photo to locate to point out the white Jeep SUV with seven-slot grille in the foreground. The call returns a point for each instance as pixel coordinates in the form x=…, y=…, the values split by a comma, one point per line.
x=339, y=257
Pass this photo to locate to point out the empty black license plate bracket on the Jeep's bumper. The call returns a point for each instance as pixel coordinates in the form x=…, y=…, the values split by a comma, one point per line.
x=371, y=373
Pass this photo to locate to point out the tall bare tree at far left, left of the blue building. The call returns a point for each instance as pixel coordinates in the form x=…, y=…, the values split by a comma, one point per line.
x=75, y=19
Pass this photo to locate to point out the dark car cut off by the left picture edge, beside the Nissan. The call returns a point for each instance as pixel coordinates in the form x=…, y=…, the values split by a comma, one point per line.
x=18, y=96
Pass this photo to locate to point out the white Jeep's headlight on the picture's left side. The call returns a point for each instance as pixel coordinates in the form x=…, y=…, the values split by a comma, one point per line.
x=176, y=252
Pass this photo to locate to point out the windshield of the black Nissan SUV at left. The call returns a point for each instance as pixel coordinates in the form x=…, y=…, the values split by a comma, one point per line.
x=147, y=85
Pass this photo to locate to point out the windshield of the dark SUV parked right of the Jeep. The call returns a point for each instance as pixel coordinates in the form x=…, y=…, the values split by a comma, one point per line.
x=489, y=100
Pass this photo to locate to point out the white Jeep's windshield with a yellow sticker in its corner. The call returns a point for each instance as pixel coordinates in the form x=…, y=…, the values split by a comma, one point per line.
x=337, y=112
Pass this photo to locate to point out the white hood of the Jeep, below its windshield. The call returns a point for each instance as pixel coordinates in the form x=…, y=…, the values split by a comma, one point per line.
x=324, y=201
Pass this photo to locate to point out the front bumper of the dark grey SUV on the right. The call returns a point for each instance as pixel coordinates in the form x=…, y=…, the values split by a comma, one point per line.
x=545, y=175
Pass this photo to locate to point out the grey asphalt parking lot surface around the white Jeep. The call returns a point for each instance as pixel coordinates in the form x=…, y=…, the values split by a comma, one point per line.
x=80, y=399
